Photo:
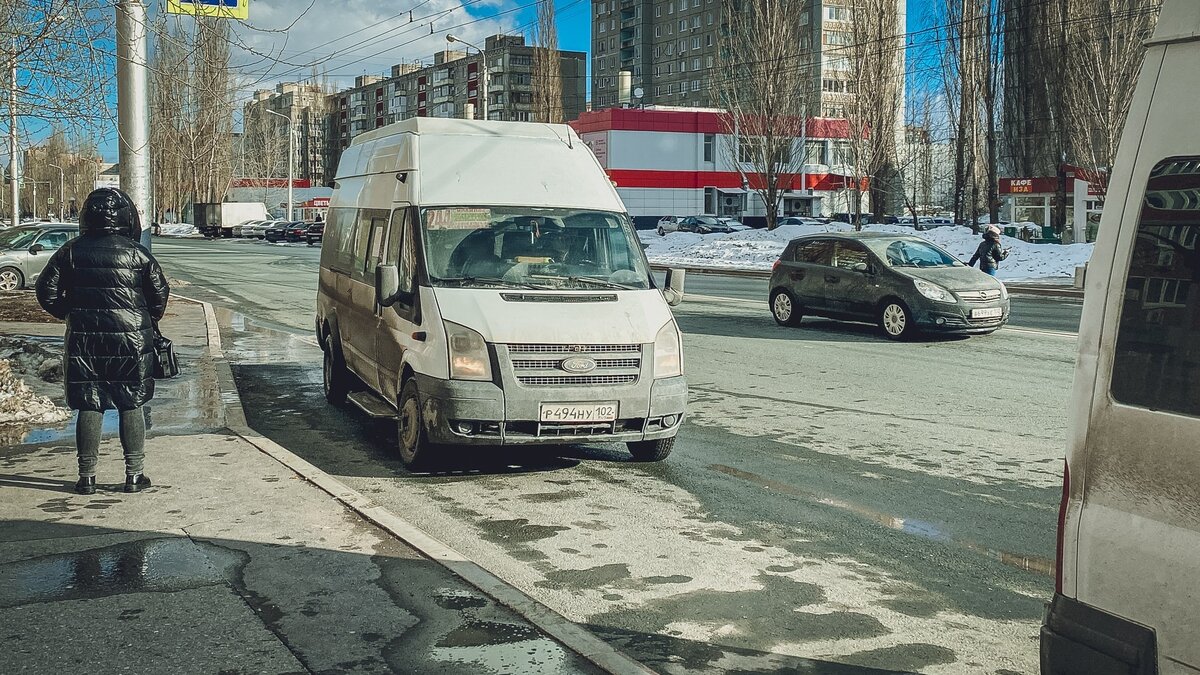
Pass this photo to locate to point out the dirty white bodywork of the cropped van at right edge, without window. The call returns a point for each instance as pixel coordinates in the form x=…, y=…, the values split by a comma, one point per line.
x=1132, y=530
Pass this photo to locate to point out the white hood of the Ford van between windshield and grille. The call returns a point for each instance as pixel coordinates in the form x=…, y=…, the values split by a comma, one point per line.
x=634, y=318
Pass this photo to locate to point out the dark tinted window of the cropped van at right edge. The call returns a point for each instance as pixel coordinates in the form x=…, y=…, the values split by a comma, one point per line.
x=1157, y=359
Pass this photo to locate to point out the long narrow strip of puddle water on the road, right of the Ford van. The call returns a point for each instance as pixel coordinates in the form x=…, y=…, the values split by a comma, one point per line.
x=922, y=529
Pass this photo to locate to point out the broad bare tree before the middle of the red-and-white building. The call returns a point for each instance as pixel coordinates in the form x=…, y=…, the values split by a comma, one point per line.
x=758, y=83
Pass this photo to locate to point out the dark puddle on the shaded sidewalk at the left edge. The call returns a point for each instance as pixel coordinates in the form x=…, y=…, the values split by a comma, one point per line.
x=169, y=564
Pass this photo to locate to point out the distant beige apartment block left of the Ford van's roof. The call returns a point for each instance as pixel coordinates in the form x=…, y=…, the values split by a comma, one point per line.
x=262, y=151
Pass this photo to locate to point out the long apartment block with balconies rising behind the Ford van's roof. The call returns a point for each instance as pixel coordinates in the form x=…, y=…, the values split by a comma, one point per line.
x=445, y=89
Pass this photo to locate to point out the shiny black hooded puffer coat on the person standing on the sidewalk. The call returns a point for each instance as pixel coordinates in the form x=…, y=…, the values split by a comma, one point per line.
x=109, y=289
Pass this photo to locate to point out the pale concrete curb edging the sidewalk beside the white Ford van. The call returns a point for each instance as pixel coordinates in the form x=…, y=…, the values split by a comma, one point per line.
x=597, y=652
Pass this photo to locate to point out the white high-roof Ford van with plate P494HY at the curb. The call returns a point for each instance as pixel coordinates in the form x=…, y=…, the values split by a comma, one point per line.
x=483, y=284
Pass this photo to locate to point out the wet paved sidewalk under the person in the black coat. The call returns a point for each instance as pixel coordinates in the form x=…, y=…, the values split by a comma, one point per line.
x=230, y=564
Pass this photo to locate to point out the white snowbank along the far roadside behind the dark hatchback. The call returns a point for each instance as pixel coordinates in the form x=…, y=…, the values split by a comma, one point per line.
x=759, y=249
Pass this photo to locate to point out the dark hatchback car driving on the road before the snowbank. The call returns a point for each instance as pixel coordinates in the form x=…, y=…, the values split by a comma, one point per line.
x=901, y=283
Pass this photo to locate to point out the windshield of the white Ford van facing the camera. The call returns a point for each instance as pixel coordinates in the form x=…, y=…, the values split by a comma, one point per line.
x=532, y=248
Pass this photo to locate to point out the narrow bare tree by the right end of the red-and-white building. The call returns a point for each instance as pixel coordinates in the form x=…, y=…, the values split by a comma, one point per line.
x=874, y=68
